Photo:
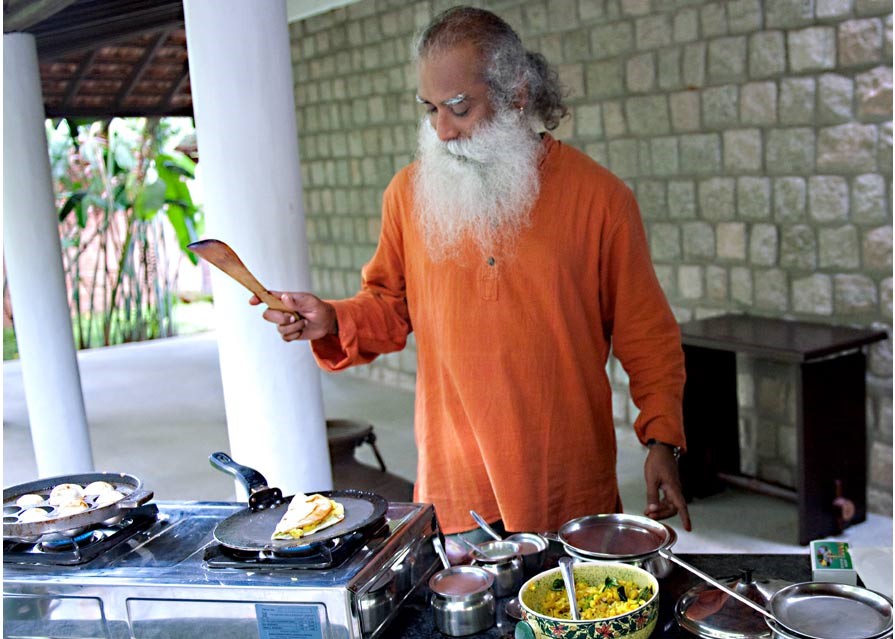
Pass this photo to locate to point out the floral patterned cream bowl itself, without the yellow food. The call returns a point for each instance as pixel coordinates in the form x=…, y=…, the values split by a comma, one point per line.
x=636, y=624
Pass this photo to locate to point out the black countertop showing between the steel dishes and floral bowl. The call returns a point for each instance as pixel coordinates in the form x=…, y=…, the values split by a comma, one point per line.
x=415, y=621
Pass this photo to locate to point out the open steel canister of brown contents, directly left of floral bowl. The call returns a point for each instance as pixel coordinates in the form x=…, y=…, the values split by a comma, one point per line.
x=462, y=600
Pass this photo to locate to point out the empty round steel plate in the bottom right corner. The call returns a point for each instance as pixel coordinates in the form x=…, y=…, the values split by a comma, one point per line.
x=820, y=610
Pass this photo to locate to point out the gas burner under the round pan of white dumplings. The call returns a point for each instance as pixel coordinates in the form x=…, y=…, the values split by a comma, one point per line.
x=83, y=547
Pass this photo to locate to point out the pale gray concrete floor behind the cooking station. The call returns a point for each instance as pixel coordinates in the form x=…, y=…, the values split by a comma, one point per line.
x=132, y=430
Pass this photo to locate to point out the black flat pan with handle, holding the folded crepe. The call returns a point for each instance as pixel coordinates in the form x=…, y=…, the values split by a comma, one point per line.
x=250, y=529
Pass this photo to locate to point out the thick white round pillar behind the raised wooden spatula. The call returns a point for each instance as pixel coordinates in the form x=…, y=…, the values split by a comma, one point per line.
x=241, y=79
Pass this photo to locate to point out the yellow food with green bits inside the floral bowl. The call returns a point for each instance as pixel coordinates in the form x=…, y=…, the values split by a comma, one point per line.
x=609, y=599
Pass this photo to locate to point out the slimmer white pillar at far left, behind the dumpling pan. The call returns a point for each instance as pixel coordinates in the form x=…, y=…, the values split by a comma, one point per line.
x=34, y=269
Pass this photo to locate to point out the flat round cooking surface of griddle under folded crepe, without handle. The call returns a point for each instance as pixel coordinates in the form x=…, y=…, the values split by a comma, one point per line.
x=250, y=530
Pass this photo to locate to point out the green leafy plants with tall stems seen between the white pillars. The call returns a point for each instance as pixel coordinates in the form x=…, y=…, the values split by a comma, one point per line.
x=121, y=189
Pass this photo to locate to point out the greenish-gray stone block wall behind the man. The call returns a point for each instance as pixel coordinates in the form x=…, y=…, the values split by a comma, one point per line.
x=756, y=134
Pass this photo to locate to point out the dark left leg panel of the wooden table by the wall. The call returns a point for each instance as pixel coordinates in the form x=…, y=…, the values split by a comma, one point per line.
x=710, y=420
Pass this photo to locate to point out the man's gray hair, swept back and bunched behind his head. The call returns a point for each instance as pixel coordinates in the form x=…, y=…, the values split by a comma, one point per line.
x=509, y=69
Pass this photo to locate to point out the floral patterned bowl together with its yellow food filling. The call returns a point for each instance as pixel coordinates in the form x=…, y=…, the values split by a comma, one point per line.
x=615, y=601
